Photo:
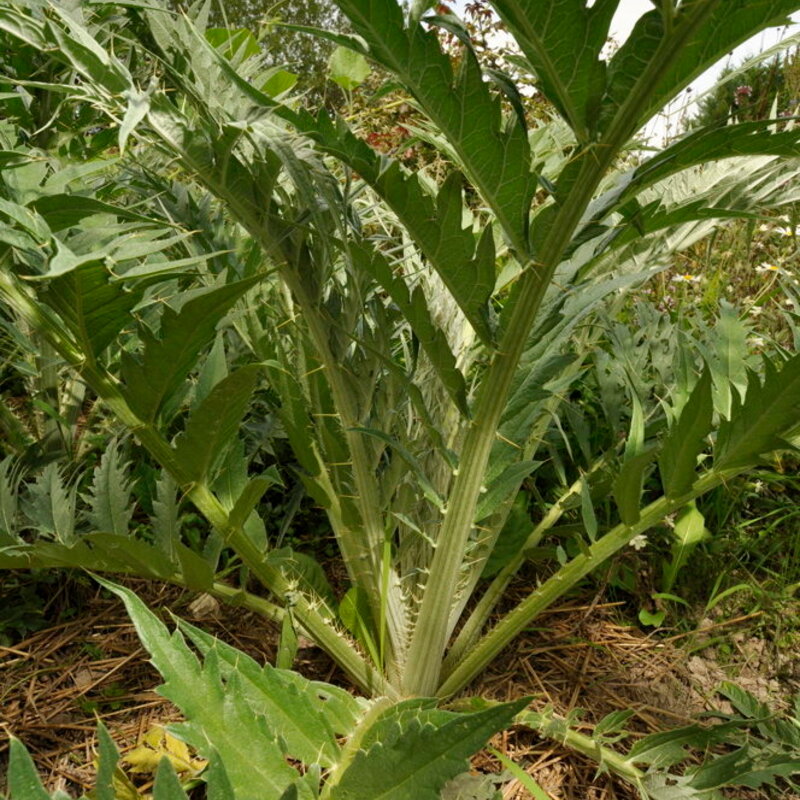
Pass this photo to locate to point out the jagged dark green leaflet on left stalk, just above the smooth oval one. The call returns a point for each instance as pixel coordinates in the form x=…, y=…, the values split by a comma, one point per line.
x=167, y=360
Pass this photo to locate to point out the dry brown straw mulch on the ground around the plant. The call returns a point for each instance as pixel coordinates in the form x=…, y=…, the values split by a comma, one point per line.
x=56, y=683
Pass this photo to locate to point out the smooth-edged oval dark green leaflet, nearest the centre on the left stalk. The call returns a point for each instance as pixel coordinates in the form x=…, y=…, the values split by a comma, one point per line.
x=214, y=424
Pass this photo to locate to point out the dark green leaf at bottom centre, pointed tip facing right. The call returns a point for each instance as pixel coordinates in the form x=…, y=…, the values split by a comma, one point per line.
x=421, y=752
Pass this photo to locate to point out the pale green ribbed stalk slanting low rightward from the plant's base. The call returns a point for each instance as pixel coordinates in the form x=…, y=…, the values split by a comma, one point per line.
x=490, y=645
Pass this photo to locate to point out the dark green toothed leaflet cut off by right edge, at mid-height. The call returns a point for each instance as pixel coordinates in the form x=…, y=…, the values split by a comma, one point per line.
x=770, y=411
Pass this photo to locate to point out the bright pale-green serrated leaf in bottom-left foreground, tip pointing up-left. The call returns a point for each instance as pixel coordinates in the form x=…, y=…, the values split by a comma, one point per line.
x=218, y=714
